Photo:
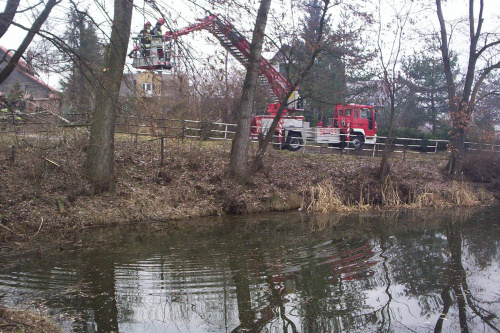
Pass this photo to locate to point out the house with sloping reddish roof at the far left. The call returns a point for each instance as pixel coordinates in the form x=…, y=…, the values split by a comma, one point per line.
x=38, y=96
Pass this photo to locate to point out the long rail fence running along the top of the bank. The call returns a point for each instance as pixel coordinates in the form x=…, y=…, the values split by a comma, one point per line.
x=204, y=130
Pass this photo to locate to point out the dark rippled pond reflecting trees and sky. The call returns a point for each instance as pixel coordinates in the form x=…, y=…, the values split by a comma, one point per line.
x=293, y=272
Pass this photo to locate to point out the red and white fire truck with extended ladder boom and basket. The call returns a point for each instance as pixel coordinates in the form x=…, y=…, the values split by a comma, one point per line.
x=351, y=124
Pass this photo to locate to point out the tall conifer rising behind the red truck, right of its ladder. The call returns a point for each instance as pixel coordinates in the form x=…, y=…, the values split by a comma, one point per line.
x=334, y=77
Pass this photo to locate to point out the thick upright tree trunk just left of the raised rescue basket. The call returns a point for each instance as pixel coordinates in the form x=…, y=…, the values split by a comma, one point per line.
x=100, y=153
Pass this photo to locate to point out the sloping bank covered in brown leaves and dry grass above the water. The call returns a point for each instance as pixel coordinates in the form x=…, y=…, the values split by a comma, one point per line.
x=42, y=189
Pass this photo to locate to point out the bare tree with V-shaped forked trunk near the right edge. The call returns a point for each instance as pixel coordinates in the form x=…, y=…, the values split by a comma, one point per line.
x=462, y=103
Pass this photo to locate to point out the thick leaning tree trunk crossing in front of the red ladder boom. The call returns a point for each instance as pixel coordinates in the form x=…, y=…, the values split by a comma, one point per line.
x=238, y=166
